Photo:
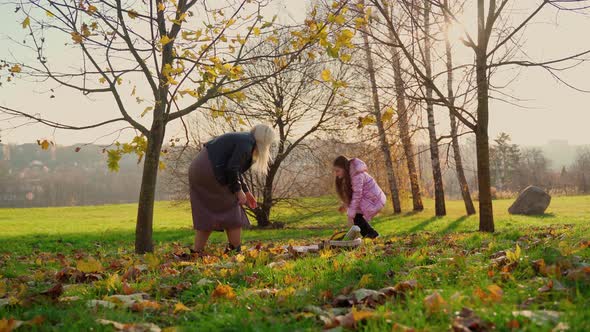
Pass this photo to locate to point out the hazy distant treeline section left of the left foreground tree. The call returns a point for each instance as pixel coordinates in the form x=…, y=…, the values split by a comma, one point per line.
x=60, y=176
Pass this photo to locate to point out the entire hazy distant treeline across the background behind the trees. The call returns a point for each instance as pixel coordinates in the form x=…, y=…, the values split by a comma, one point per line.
x=60, y=176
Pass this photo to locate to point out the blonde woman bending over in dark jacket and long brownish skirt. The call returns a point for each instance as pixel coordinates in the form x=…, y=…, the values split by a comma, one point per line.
x=217, y=189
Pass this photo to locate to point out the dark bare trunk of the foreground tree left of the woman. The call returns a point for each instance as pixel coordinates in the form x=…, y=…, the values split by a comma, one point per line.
x=145, y=209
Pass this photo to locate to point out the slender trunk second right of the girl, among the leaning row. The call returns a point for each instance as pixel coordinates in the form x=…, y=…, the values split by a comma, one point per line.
x=405, y=132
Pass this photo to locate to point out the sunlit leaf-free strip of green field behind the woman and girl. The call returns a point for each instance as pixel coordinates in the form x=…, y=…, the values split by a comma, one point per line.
x=113, y=225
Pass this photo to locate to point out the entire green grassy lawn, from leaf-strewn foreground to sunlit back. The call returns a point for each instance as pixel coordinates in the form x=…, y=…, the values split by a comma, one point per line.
x=437, y=266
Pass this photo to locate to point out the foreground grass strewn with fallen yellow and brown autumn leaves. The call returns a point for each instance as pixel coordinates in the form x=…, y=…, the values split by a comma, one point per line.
x=421, y=271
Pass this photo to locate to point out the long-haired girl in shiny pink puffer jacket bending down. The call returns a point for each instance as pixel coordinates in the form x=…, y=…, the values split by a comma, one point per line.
x=359, y=193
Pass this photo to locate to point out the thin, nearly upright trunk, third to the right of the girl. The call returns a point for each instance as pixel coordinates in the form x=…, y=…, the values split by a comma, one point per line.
x=439, y=193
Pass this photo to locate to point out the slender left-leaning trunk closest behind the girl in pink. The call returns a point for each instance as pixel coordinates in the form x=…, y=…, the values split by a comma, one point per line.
x=382, y=134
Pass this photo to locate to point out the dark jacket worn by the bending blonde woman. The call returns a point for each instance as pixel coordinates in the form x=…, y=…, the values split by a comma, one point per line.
x=231, y=156
